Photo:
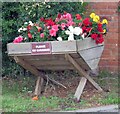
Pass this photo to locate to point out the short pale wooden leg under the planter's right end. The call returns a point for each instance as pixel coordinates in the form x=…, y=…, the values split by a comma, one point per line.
x=80, y=88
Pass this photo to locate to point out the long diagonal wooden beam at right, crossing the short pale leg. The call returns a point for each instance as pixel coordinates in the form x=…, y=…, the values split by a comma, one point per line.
x=82, y=72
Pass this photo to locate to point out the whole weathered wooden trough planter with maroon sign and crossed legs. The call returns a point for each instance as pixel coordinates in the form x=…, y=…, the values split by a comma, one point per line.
x=82, y=55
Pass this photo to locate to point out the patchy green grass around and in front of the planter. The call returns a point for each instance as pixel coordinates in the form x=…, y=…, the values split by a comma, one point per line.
x=16, y=96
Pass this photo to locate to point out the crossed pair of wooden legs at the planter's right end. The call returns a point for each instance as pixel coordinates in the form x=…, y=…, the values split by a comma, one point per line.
x=83, y=79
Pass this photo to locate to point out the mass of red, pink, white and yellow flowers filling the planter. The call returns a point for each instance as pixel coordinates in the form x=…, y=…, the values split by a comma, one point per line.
x=63, y=27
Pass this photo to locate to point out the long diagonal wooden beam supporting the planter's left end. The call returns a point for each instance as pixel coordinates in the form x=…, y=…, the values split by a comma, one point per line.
x=35, y=71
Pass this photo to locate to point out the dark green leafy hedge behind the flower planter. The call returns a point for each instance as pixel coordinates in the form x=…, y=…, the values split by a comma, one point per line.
x=14, y=14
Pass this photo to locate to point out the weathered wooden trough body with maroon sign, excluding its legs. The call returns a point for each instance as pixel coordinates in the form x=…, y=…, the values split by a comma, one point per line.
x=52, y=54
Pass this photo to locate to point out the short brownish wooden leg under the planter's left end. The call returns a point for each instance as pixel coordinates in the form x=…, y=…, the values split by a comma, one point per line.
x=38, y=87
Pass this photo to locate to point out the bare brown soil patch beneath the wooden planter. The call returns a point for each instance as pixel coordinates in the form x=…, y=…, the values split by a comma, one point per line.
x=71, y=81
